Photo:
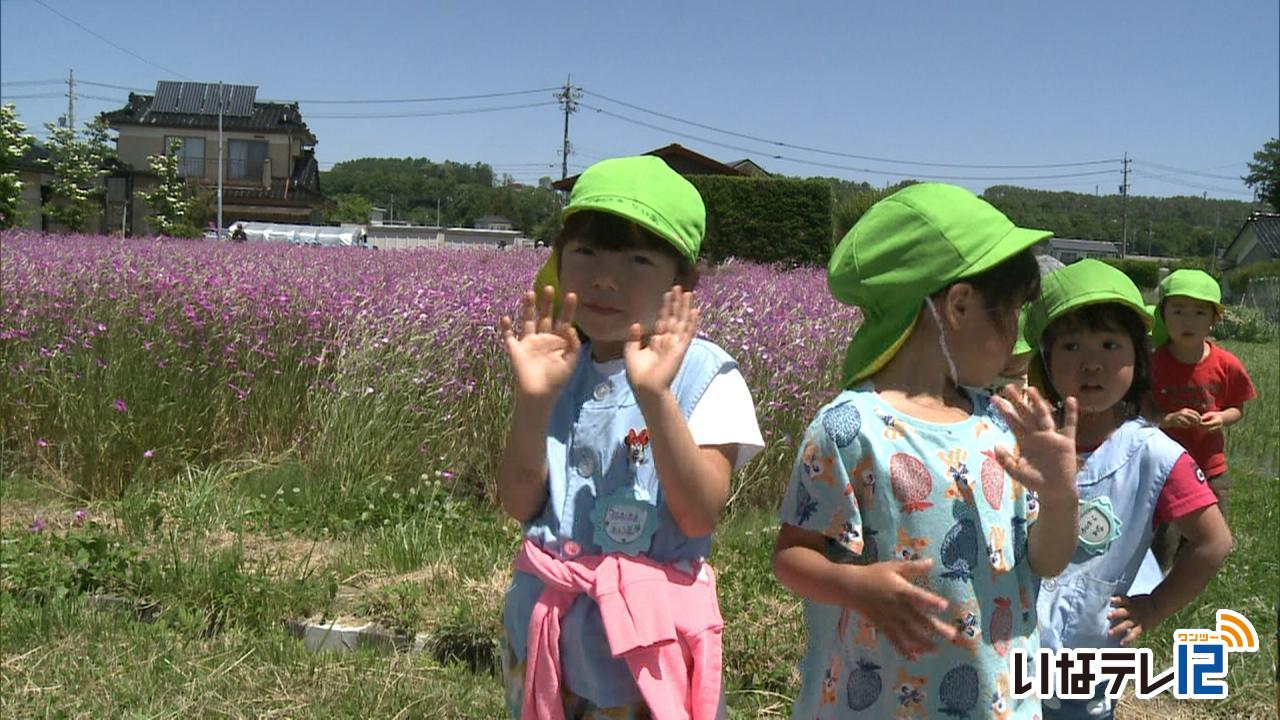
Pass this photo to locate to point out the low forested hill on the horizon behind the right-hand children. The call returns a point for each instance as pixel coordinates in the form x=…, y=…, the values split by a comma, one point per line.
x=1180, y=227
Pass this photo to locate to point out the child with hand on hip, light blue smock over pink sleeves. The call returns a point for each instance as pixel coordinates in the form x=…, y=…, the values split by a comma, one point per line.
x=1091, y=329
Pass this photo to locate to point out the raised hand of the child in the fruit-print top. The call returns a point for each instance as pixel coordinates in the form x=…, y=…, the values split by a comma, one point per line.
x=1046, y=455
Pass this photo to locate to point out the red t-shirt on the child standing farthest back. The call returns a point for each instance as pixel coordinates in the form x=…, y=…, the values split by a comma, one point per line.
x=1217, y=382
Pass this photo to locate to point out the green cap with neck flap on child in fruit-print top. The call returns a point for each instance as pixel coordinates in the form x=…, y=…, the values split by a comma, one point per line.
x=907, y=248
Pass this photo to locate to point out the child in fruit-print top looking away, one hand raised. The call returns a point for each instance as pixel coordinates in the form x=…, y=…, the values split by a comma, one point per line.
x=916, y=554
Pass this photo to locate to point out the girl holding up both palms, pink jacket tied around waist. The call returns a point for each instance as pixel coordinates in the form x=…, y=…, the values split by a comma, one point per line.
x=623, y=441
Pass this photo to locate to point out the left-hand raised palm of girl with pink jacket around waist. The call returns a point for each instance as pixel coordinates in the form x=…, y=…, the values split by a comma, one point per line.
x=546, y=353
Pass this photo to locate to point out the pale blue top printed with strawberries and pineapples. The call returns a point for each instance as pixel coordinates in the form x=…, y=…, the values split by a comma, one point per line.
x=885, y=486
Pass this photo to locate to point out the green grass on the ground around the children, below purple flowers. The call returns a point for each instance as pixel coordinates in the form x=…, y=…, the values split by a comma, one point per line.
x=230, y=552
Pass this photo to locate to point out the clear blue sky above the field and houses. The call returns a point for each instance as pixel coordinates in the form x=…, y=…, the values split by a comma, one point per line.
x=1188, y=89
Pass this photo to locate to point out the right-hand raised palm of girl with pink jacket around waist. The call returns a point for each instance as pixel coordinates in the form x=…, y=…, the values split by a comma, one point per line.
x=653, y=366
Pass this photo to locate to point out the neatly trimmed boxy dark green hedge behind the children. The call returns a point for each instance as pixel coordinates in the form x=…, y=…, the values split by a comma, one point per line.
x=766, y=220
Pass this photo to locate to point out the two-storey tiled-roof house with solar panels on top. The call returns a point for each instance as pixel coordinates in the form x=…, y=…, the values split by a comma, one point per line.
x=268, y=161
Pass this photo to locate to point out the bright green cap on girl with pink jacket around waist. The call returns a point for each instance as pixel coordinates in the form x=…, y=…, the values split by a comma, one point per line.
x=646, y=192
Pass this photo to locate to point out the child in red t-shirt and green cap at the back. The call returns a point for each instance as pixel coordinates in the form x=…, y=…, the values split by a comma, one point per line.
x=1200, y=388
